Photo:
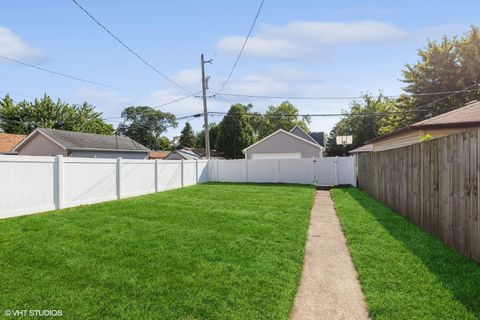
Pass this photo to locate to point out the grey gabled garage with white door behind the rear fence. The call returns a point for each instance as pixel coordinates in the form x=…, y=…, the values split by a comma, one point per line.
x=285, y=145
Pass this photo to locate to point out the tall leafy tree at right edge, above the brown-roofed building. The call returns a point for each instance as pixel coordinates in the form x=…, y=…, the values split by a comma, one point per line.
x=447, y=65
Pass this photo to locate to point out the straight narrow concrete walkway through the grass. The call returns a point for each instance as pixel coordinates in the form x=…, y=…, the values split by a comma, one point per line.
x=329, y=287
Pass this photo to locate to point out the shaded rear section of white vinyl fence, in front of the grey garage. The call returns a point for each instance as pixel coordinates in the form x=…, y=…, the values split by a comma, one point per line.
x=320, y=171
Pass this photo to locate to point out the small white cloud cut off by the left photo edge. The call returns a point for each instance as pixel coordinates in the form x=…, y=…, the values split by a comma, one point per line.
x=12, y=46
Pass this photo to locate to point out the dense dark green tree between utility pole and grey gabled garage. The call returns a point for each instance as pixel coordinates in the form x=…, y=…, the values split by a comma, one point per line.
x=235, y=132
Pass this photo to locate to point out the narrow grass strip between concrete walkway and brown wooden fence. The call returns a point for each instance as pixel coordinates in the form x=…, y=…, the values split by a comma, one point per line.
x=405, y=273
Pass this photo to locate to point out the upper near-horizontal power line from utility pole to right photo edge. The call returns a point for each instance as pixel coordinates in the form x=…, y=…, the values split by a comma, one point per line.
x=342, y=97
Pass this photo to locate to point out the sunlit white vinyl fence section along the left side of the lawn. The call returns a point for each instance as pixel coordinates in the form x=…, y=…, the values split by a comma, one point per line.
x=36, y=184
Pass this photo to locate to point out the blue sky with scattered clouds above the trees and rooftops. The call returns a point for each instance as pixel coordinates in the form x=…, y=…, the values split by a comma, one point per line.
x=298, y=48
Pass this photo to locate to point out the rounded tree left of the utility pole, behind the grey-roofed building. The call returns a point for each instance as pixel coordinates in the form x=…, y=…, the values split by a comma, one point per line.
x=145, y=124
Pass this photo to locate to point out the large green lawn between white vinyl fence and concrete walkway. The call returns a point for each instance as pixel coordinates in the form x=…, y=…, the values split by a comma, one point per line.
x=213, y=251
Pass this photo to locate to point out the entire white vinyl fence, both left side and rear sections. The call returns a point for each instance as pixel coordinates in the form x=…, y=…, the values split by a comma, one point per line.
x=35, y=184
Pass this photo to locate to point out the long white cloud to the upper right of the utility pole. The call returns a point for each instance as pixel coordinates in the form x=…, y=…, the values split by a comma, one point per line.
x=301, y=39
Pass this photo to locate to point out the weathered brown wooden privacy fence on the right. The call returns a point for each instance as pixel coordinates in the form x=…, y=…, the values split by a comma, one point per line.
x=433, y=184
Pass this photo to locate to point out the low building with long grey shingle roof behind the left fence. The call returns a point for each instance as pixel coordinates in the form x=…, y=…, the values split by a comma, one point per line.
x=51, y=142
